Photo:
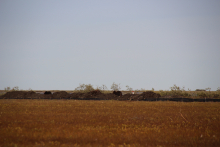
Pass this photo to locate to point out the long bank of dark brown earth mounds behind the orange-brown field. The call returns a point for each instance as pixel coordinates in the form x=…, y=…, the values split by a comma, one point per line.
x=93, y=95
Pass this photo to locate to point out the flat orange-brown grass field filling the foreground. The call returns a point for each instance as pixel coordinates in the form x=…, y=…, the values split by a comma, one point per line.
x=108, y=123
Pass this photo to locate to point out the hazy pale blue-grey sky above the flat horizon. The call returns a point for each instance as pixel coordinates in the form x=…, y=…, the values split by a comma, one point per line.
x=57, y=45
